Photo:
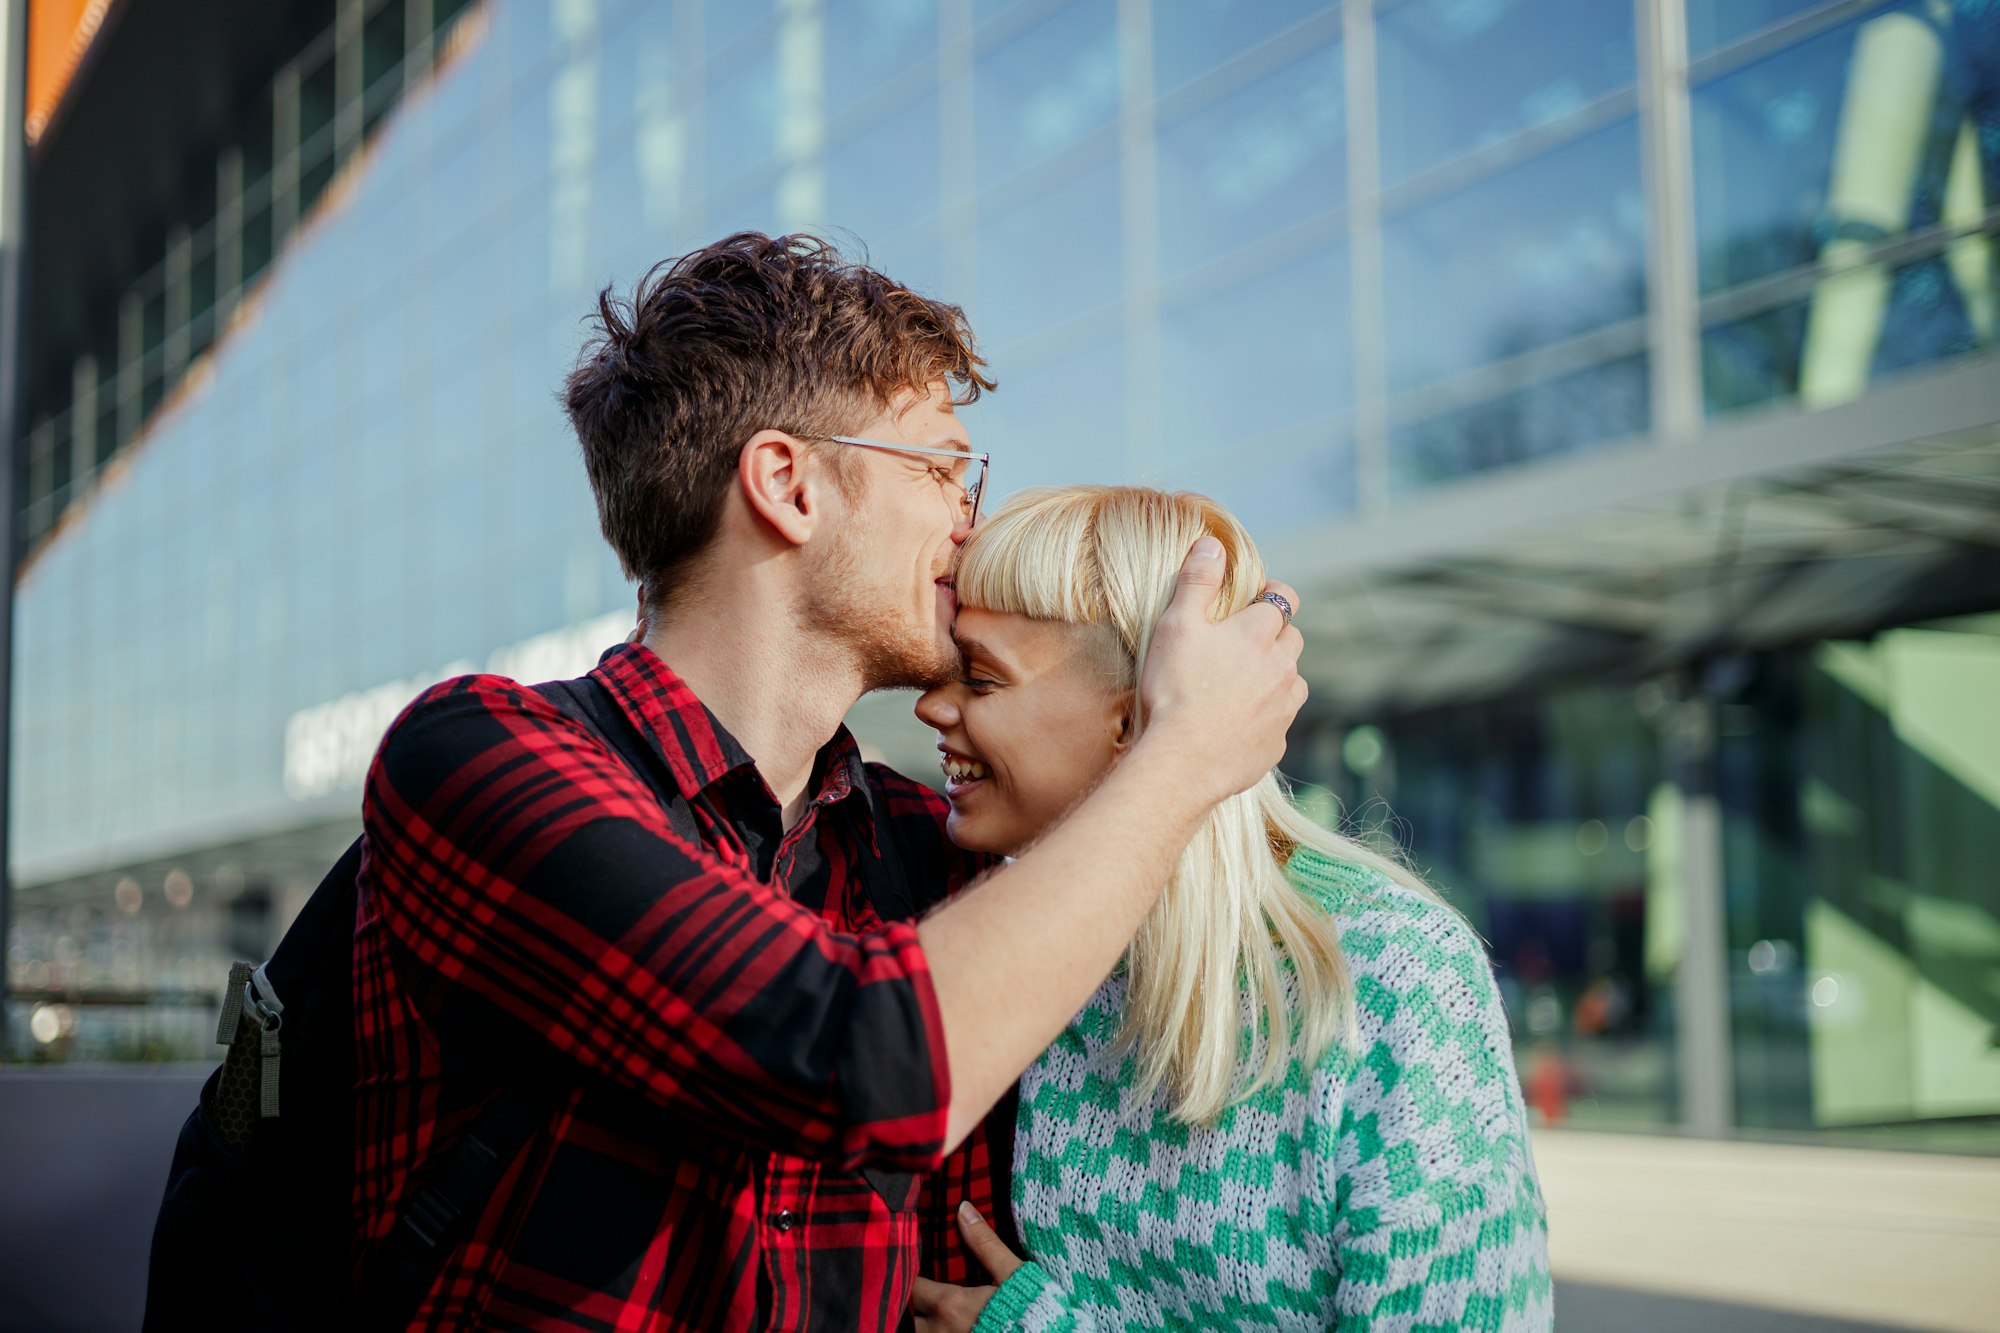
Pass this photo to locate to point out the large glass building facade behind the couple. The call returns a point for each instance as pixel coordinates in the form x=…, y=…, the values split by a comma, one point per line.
x=1615, y=379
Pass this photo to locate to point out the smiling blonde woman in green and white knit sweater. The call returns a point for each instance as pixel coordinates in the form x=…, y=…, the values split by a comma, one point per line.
x=1295, y=1102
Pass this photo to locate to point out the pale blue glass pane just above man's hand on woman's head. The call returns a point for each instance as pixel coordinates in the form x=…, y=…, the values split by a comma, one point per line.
x=1257, y=359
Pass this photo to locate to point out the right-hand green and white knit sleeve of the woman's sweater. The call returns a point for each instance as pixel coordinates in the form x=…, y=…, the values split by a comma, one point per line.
x=1439, y=1218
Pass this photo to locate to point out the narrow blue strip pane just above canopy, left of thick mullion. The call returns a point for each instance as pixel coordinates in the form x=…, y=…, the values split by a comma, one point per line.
x=1593, y=407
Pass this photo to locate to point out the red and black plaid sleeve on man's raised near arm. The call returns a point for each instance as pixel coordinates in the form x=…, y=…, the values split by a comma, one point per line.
x=541, y=904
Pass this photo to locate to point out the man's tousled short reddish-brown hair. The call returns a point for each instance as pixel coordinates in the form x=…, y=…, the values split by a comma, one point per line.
x=745, y=335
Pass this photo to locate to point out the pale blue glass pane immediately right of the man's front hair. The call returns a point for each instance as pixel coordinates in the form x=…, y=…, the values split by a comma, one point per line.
x=1051, y=259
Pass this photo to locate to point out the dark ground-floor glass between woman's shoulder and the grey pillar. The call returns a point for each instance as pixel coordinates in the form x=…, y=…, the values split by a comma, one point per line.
x=1543, y=820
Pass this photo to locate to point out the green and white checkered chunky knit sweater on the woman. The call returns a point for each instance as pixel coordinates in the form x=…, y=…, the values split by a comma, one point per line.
x=1383, y=1188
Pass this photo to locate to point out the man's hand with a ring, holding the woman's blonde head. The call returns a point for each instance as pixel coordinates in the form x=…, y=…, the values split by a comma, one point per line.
x=1221, y=694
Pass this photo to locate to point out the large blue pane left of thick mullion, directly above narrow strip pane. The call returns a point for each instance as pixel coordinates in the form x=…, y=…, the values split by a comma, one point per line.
x=1535, y=255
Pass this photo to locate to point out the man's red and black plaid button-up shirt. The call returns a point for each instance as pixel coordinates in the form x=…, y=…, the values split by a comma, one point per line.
x=739, y=1030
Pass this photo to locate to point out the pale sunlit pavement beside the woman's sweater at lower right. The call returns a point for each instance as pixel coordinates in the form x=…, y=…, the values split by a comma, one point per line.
x=1657, y=1236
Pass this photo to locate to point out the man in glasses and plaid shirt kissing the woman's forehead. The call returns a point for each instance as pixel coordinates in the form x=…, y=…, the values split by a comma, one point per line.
x=753, y=1054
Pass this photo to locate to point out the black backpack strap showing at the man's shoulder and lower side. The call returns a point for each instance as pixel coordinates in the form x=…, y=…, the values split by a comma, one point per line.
x=459, y=1184
